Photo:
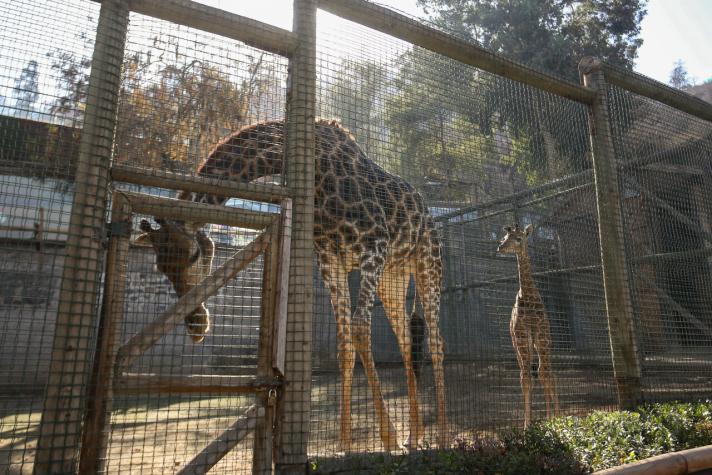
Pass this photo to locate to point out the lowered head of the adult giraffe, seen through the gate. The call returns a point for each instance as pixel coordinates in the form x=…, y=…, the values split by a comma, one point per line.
x=184, y=254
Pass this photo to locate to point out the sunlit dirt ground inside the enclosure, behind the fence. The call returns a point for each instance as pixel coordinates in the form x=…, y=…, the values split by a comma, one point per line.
x=159, y=435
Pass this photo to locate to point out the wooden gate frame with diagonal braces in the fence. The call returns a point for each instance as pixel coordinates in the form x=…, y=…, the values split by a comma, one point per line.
x=109, y=375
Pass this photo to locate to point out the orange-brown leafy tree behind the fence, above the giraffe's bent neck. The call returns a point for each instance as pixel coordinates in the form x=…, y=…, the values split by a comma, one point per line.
x=171, y=109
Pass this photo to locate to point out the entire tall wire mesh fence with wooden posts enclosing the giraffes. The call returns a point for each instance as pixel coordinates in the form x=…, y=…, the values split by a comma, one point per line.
x=224, y=330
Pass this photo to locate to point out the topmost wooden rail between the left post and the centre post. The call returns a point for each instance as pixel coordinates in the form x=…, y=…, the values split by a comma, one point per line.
x=214, y=20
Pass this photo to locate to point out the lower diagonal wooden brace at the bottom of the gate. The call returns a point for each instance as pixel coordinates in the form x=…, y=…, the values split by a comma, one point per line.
x=225, y=442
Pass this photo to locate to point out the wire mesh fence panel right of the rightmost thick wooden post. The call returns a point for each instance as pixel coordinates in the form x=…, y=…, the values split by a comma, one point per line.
x=664, y=154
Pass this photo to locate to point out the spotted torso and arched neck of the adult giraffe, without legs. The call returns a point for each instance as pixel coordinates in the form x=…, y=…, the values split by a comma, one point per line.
x=357, y=203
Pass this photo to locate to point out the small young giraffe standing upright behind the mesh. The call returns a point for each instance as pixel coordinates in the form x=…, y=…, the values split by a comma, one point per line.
x=529, y=326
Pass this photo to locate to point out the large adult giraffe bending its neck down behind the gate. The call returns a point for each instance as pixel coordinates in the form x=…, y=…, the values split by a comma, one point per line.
x=365, y=219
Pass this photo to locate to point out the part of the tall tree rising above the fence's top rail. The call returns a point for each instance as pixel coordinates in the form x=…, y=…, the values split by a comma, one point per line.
x=549, y=35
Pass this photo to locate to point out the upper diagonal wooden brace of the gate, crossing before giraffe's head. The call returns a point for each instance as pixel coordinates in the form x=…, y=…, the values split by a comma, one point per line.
x=208, y=287
